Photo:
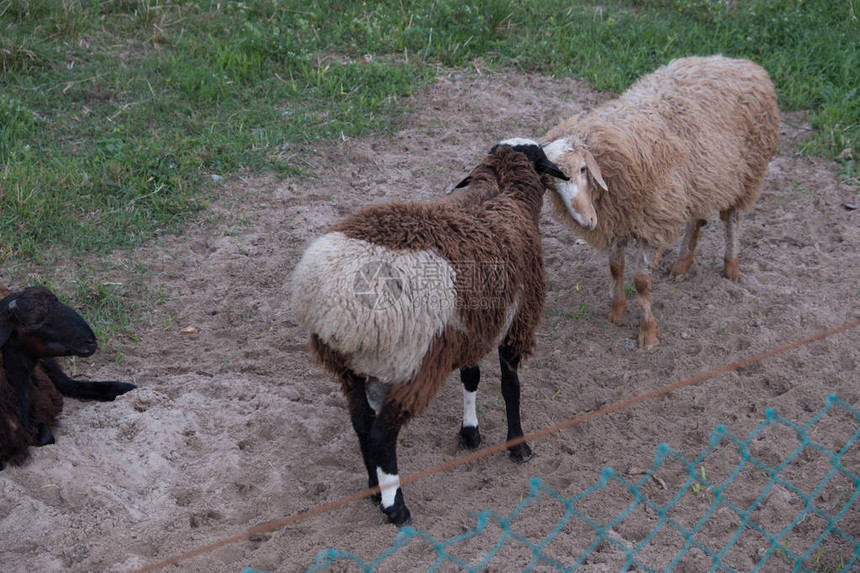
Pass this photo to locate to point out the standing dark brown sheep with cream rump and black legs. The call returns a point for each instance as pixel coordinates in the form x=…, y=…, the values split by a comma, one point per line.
x=398, y=295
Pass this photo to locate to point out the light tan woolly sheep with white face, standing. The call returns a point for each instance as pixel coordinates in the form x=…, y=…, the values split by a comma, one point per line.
x=693, y=137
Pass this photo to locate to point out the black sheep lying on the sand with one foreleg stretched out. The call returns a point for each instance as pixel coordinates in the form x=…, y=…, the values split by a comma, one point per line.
x=35, y=327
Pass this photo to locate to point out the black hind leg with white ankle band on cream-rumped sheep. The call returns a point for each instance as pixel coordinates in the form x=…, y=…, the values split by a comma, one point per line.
x=383, y=451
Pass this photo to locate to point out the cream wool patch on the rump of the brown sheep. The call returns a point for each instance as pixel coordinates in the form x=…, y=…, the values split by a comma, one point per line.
x=386, y=342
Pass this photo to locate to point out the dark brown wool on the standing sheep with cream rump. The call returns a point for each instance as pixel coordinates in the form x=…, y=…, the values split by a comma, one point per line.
x=489, y=235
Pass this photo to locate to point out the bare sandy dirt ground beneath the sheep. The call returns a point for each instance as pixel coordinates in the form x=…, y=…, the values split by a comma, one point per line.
x=234, y=425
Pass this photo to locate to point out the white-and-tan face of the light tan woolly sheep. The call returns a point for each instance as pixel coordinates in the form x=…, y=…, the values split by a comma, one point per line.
x=575, y=194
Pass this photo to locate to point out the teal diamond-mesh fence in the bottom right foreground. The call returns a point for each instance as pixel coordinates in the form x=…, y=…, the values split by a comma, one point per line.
x=783, y=499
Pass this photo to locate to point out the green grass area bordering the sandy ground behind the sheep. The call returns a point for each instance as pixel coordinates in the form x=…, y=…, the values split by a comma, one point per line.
x=114, y=115
